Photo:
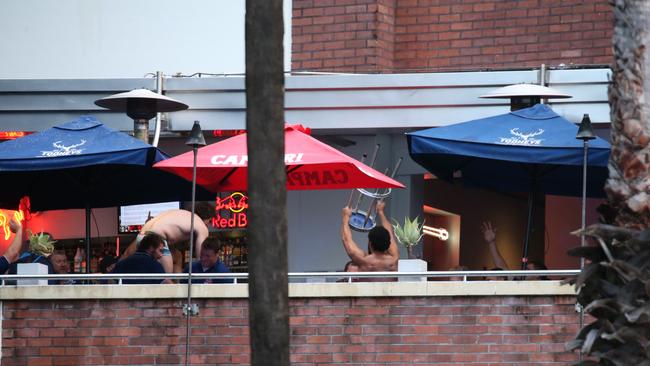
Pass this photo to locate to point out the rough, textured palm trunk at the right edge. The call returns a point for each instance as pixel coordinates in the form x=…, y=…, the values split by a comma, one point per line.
x=629, y=95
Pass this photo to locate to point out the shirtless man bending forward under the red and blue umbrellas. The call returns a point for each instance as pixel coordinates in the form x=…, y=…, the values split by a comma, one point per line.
x=174, y=227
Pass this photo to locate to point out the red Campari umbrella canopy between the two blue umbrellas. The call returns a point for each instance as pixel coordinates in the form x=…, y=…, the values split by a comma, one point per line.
x=311, y=164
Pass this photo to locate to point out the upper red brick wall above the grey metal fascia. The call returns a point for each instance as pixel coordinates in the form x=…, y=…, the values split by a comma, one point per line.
x=444, y=35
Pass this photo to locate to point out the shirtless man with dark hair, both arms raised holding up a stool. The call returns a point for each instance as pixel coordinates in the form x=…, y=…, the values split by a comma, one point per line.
x=383, y=254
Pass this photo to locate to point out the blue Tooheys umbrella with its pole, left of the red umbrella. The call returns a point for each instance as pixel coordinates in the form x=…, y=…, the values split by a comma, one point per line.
x=84, y=164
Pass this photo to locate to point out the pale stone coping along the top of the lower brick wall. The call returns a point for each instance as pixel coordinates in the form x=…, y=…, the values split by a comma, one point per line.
x=296, y=290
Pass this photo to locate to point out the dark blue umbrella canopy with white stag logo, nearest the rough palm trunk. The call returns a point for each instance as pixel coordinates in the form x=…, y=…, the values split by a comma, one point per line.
x=532, y=148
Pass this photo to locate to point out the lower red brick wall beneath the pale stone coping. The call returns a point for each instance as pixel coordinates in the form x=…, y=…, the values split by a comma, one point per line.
x=504, y=330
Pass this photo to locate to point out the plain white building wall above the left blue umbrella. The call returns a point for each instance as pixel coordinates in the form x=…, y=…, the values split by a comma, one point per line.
x=124, y=38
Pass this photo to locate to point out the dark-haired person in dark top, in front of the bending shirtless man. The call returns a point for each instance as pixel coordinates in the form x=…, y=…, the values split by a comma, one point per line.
x=144, y=260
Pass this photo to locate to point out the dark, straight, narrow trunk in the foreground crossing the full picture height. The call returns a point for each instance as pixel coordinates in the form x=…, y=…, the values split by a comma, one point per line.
x=267, y=226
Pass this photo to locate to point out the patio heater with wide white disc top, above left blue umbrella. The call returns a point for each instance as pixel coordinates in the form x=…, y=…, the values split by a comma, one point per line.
x=141, y=105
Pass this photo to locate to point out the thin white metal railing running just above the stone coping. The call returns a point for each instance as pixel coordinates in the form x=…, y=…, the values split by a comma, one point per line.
x=295, y=277
